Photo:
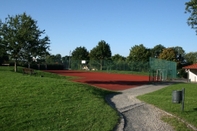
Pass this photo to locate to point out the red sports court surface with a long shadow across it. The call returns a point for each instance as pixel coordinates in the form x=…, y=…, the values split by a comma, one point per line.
x=109, y=81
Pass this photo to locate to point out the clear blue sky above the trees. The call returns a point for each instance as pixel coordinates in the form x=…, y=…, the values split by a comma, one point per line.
x=121, y=23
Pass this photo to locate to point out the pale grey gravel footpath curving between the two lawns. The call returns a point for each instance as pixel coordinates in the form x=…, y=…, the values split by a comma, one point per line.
x=136, y=115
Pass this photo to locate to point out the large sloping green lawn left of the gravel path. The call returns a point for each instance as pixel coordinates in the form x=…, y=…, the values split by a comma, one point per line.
x=51, y=102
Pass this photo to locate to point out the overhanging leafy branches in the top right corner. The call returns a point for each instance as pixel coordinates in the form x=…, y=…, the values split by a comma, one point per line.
x=191, y=7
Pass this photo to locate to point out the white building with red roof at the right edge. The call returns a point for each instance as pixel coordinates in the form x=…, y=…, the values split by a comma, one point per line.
x=192, y=72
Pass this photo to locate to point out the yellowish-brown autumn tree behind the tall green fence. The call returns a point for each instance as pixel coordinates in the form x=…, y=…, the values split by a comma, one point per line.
x=168, y=54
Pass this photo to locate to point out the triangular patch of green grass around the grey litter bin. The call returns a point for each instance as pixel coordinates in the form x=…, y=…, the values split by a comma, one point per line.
x=163, y=99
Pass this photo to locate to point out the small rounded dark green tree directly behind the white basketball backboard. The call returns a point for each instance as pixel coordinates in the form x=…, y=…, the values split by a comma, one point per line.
x=80, y=53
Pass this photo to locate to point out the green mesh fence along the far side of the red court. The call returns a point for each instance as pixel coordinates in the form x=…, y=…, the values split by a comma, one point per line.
x=159, y=70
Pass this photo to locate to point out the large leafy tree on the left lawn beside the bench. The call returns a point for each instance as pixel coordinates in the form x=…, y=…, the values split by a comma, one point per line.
x=22, y=38
